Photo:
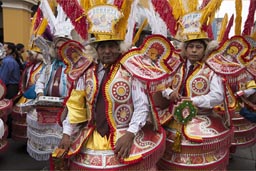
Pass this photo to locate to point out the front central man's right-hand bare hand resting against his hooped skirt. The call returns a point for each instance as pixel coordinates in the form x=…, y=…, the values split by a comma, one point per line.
x=124, y=145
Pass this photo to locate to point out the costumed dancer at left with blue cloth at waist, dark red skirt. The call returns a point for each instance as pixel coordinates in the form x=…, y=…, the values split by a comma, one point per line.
x=34, y=66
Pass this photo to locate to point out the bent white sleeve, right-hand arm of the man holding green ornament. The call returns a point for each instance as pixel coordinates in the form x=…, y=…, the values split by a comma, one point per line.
x=215, y=95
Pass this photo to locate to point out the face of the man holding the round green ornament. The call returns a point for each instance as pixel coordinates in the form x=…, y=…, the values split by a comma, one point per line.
x=195, y=51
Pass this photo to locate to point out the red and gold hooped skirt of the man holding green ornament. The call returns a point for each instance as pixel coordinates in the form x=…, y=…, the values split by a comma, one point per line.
x=205, y=143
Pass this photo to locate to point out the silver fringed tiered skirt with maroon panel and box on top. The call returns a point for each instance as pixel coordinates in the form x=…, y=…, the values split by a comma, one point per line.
x=43, y=131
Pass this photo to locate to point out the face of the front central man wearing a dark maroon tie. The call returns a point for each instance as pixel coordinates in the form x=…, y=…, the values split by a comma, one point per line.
x=108, y=52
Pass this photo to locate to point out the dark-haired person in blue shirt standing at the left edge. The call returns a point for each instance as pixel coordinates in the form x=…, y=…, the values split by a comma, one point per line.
x=9, y=71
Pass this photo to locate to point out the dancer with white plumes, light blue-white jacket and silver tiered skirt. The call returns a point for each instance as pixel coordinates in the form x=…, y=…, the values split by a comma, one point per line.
x=52, y=86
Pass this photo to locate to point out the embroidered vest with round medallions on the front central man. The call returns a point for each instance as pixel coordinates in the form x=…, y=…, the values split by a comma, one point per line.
x=117, y=92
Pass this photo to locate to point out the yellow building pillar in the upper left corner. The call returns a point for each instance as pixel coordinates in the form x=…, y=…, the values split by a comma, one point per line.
x=15, y=20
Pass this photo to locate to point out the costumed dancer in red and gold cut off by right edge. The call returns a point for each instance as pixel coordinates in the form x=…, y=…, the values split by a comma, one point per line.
x=245, y=131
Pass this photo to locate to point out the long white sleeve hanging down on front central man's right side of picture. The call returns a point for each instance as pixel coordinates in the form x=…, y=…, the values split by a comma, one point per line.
x=141, y=107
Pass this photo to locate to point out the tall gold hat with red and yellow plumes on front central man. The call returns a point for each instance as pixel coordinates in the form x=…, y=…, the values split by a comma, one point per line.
x=105, y=21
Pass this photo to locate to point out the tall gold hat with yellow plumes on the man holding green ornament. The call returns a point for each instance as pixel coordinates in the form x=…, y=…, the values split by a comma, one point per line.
x=193, y=21
